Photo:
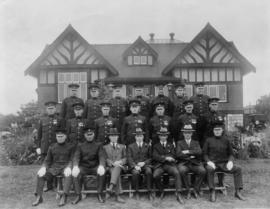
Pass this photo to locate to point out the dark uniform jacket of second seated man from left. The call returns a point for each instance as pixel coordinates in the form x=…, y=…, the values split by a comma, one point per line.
x=89, y=155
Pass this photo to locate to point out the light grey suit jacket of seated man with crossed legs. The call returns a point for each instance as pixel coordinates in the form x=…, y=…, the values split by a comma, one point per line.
x=115, y=154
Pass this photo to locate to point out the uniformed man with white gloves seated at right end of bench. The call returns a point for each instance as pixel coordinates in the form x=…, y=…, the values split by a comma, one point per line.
x=218, y=154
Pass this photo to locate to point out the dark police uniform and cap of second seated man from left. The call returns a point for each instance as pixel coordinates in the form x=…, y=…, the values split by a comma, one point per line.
x=88, y=156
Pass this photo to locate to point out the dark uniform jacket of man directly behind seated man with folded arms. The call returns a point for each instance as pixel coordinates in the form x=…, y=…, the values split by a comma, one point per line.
x=187, y=119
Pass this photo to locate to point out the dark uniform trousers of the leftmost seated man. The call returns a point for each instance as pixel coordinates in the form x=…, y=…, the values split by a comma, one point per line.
x=48, y=177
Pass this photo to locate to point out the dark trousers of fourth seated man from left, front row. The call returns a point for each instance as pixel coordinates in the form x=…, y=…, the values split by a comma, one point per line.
x=136, y=177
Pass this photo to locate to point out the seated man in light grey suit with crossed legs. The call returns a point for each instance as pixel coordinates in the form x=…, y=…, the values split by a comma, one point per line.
x=115, y=159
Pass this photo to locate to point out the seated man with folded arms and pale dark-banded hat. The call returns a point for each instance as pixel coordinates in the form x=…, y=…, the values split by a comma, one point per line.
x=188, y=154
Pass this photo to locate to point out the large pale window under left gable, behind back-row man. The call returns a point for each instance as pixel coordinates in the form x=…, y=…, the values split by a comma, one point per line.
x=64, y=79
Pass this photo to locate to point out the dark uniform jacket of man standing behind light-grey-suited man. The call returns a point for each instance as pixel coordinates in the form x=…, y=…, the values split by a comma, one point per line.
x=102, y=127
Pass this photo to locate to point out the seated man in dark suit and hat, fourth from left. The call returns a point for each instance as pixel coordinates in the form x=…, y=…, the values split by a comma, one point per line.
x=139, y=161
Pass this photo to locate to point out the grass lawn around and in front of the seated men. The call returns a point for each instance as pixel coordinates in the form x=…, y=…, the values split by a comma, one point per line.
x=17, y=184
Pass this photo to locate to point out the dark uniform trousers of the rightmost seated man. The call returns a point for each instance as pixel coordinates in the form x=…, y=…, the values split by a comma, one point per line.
x=236, y=171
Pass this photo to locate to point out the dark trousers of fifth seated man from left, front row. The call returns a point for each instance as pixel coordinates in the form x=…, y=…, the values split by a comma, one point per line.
x=171, y=170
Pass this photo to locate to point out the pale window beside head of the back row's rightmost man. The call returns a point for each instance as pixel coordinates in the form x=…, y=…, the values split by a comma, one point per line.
x=219, y=91
